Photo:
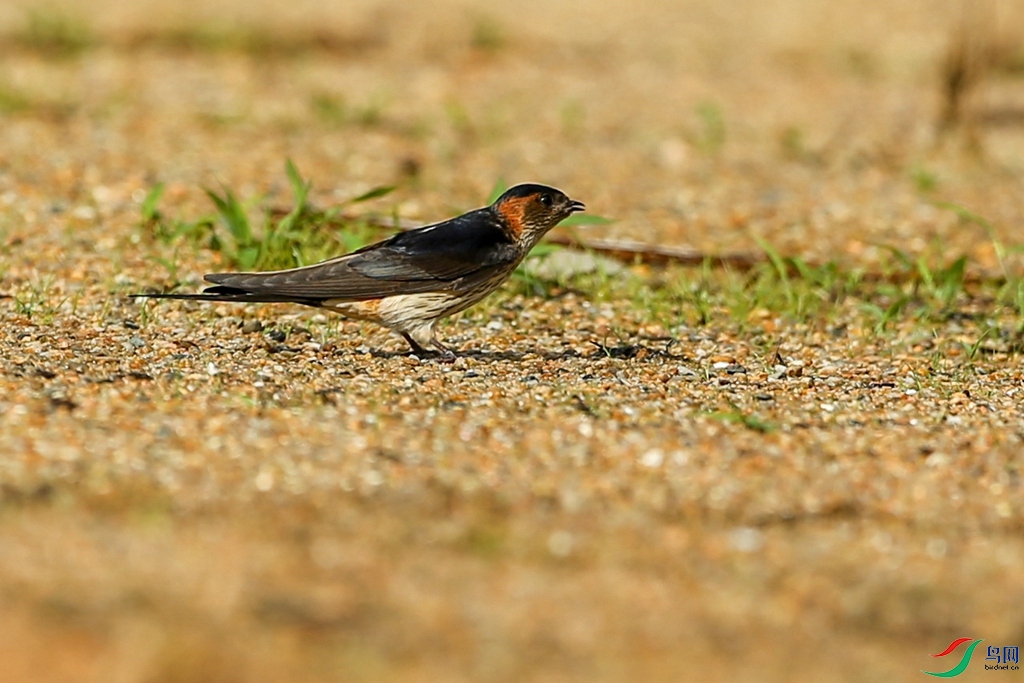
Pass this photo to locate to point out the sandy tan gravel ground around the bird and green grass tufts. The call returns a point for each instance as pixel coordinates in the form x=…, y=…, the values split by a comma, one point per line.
x=593, y=491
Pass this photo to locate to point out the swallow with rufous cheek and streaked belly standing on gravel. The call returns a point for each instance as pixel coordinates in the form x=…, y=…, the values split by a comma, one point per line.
x=416, y=278
